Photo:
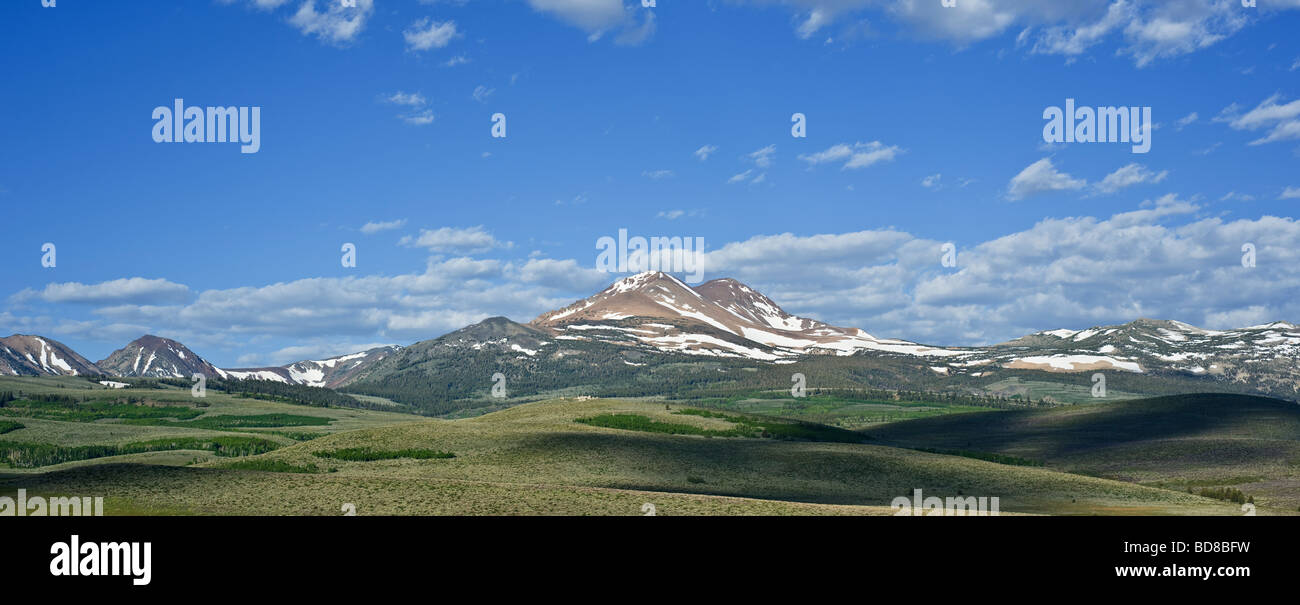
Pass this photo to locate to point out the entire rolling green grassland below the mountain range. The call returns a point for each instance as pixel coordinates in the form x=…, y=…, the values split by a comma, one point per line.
x=625, y=457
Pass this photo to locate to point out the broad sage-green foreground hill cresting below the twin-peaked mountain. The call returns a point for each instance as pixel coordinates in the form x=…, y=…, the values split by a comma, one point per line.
x=539, y=459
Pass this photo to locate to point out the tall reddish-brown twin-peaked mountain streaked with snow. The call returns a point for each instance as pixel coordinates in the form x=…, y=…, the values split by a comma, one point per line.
x=721, y=318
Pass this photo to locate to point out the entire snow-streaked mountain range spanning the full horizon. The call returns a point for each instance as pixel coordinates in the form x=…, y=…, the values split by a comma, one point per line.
x=653, y=319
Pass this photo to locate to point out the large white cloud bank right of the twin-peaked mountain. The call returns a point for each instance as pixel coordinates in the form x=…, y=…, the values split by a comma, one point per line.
x=1058, y=274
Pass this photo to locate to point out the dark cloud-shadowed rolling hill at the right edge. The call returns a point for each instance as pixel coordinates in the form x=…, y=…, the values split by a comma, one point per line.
x=1184, y=442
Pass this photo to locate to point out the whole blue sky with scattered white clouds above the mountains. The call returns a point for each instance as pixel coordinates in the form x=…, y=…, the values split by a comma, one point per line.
x=925, y=127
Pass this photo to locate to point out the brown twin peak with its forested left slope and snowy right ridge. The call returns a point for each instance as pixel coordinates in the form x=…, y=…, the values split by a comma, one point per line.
x=652, y=335
